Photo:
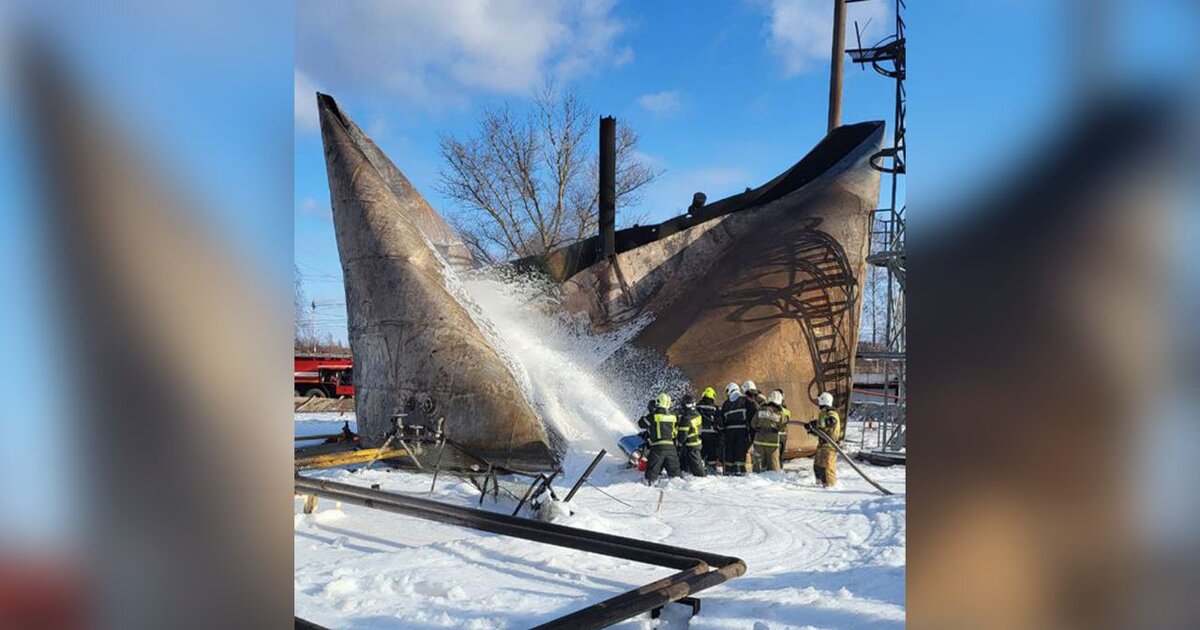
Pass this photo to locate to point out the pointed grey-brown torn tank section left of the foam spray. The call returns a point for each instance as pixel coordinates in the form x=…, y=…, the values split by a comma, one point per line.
x=417, y=349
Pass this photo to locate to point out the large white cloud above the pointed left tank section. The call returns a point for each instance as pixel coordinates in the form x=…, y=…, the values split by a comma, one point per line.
x=430, y=53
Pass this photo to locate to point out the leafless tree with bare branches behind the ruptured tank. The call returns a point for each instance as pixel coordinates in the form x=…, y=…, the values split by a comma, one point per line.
x=527, y=182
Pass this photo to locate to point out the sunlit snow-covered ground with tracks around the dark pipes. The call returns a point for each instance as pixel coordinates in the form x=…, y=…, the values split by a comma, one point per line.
x=817, y=559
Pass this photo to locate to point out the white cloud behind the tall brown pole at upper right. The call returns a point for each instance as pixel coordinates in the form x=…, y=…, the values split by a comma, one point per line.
x=801, y=32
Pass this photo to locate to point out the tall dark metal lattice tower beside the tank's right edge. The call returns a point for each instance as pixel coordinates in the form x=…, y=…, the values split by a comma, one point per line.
x=889, y=233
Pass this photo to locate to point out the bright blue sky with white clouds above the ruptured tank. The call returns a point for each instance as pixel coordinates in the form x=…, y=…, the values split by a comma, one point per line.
x=723, y=99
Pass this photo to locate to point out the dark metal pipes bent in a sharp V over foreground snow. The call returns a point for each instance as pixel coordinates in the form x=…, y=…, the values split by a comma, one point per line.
x=697, y=571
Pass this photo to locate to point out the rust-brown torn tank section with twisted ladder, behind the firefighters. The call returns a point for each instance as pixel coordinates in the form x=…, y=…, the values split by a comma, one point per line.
x=764, y=286
